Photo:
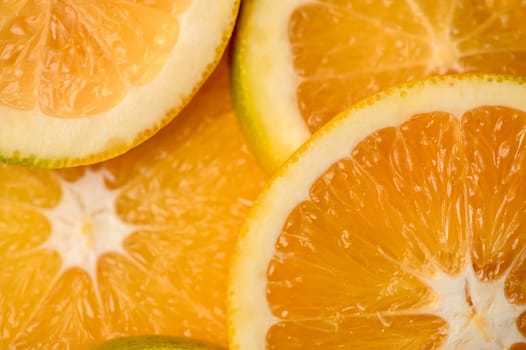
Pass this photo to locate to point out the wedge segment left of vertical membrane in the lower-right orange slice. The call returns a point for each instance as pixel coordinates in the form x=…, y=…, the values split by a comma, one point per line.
x=379, y=171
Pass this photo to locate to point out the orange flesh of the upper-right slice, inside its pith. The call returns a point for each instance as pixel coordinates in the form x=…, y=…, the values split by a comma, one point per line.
x=346, y=50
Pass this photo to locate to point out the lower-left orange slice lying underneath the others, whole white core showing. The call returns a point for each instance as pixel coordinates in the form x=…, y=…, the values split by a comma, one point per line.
x=135, y=245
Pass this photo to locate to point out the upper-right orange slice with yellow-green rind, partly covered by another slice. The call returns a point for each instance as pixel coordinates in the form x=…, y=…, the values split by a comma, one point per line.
x=299, y=62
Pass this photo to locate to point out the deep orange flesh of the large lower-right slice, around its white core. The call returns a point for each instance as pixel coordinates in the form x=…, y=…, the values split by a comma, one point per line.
x=429, y=196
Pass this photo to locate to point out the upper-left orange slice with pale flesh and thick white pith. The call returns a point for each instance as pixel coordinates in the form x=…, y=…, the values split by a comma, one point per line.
x=82, y=81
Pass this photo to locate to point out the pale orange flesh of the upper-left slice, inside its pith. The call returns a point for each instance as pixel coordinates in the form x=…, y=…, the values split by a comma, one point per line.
x=79, y=58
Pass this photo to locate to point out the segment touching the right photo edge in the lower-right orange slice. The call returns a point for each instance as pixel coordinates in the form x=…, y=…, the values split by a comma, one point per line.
x=496, y=156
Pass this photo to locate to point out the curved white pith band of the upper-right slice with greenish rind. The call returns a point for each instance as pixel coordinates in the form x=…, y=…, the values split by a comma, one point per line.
x=273, y=96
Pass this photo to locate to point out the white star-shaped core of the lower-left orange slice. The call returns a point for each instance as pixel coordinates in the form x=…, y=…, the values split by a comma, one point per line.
x=85, y=225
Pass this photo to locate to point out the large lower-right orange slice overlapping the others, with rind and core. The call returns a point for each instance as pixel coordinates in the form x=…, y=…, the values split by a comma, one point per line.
x=399, y=225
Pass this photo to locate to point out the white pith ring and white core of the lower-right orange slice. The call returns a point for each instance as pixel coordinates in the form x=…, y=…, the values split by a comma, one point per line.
x=250, y=316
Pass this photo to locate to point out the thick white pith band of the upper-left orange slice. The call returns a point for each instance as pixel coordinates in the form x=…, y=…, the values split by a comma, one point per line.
x=204, y=26
